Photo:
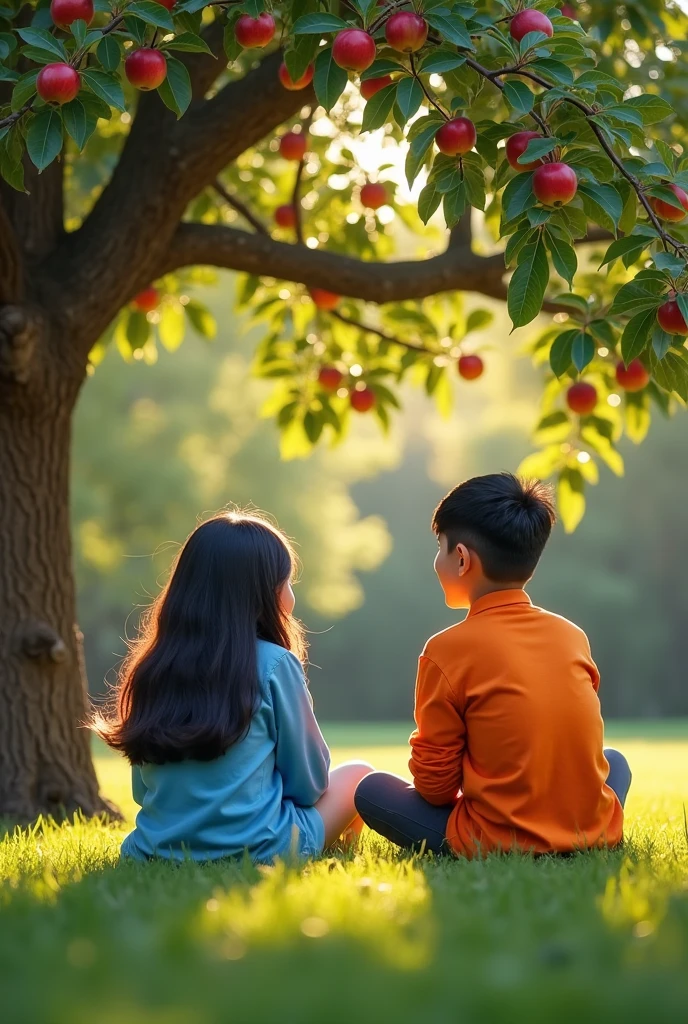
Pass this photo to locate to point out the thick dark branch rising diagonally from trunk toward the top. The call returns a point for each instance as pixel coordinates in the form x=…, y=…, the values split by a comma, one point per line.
x=164, y=165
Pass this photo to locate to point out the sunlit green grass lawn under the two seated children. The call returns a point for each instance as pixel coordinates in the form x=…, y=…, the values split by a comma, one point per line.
x=374, y=937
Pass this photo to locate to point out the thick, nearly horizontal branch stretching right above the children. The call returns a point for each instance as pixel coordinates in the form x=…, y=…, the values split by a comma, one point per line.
x=455, y=270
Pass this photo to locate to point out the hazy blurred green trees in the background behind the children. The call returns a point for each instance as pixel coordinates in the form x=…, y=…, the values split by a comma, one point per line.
x=156, y=449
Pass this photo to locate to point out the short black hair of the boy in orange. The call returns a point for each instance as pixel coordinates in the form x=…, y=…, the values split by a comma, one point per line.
x=505, y=521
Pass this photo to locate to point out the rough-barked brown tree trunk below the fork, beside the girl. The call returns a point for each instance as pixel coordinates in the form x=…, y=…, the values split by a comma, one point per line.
x=46, y=761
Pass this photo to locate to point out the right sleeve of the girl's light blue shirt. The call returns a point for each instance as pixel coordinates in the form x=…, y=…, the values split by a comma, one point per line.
x=302, y=754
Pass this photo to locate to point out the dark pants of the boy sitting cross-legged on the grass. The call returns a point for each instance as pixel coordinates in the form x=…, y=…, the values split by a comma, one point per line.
x=394, y=808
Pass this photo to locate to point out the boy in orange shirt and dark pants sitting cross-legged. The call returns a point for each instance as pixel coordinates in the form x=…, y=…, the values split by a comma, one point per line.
x=507, y=753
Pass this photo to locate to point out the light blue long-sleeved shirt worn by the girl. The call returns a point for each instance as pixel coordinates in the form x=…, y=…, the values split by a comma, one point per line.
x=257, y=797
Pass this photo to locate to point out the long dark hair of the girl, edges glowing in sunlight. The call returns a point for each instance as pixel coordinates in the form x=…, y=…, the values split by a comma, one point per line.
x=190, y=687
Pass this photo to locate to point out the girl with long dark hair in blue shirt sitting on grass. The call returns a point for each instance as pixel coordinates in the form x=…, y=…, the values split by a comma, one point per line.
x=213, y=712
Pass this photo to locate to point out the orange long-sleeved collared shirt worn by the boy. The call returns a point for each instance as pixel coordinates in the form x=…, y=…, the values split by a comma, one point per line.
x=509, y=731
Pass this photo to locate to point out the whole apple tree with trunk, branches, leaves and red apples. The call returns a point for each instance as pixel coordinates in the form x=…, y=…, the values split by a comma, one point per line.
x=141, y=139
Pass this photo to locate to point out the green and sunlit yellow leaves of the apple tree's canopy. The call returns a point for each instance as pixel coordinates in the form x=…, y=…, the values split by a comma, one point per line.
x=597, y=98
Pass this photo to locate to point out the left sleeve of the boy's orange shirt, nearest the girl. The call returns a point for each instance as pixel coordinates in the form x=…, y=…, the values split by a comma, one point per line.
x=438, y=745
